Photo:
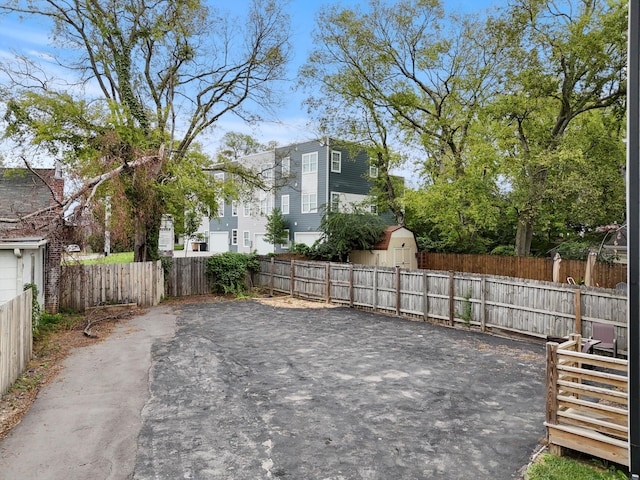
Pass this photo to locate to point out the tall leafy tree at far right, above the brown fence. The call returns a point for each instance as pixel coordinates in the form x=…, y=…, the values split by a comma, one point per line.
x=563, y=75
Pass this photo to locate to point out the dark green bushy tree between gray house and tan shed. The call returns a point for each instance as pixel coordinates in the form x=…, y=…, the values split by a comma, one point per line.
x=344, y=232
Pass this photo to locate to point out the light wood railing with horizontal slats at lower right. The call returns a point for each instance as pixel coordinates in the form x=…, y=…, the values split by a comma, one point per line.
x=587, y=402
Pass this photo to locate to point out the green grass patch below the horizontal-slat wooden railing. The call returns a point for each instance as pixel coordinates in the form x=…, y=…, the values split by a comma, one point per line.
x=552, y=467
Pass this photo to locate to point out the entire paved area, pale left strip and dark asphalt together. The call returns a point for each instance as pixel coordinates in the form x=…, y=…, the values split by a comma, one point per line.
x=241, y=390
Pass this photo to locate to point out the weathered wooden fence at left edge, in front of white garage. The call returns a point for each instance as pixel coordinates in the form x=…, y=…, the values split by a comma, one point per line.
x=16, y=338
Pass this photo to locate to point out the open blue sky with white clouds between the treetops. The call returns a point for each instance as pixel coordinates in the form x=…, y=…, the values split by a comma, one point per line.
x=31, y=38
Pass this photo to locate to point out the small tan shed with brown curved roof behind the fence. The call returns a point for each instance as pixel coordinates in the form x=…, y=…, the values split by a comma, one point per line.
x=397, y=249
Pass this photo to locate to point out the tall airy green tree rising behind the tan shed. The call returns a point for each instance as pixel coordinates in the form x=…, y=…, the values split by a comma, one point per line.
x=394, y=75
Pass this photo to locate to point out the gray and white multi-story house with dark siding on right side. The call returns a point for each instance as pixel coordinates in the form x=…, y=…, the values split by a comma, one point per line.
x=304, y=179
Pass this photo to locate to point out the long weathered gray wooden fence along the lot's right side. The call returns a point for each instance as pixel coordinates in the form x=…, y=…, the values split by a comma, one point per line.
x=528, y=307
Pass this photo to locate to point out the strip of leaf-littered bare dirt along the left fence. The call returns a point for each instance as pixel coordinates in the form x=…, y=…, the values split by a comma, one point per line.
x=48, y=354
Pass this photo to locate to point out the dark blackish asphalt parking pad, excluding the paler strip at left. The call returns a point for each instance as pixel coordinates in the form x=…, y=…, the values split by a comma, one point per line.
x=248, y=391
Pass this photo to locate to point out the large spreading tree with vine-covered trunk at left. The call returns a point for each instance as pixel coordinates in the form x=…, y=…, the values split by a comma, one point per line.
x=165, y=73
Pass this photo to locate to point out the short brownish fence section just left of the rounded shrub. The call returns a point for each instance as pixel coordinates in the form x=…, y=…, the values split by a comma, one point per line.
x=188, y=276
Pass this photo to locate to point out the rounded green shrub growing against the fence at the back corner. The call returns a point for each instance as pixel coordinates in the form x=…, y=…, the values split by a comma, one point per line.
x=230, y=270
